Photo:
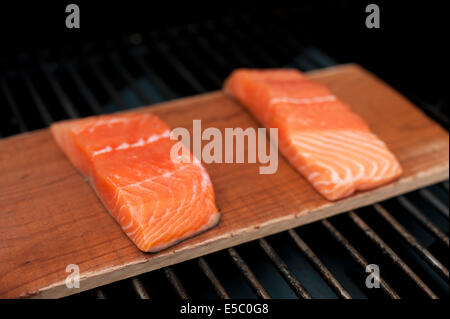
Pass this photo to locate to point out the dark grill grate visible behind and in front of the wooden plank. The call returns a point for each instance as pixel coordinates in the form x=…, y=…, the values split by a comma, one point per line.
x=407, y=236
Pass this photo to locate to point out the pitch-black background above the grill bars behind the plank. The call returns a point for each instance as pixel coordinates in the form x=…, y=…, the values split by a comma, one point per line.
x=408, y=49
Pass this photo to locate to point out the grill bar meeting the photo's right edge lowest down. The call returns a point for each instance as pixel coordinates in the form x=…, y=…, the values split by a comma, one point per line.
x=413, y=242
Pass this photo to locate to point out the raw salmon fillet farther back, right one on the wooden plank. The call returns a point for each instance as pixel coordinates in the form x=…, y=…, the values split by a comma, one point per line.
x=329, y=144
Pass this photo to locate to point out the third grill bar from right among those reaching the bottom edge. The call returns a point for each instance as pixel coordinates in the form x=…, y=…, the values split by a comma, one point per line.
x=319, y=265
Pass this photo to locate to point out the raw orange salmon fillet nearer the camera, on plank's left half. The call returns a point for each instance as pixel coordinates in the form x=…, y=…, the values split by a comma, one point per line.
x=126, y=158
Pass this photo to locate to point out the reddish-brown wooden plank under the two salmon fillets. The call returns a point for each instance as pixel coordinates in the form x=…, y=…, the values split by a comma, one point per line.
x=50, y=217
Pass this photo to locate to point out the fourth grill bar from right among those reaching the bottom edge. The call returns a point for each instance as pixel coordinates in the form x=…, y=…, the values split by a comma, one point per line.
x=284, y=270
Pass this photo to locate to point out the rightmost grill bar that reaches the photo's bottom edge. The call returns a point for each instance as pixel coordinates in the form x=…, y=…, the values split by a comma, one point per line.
x=389, y=252
